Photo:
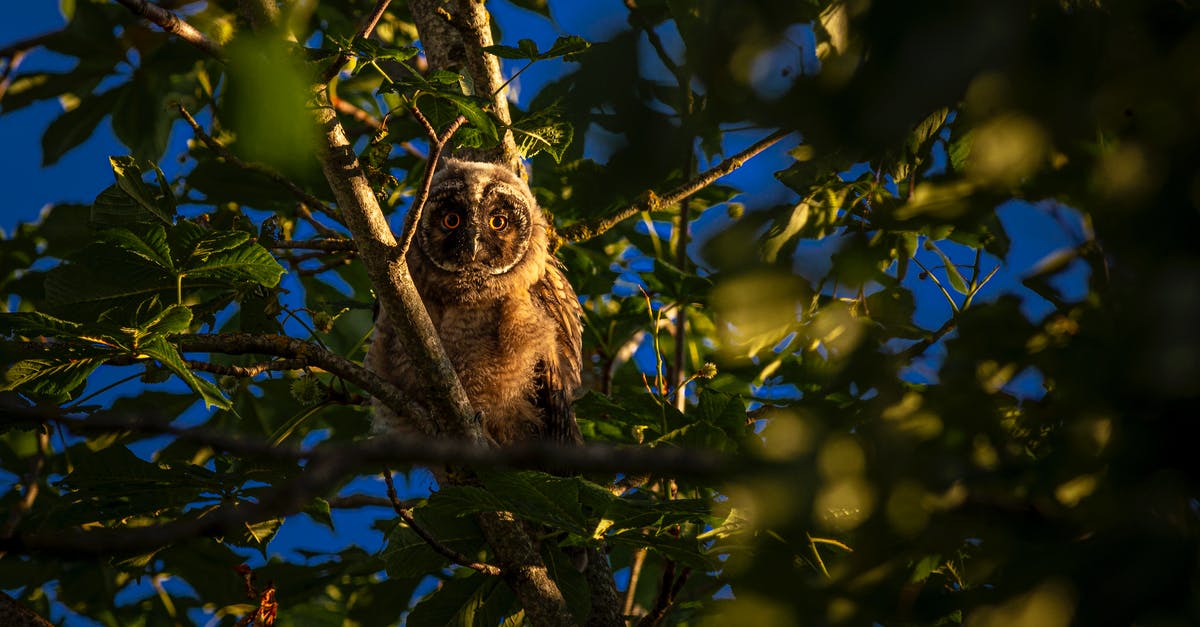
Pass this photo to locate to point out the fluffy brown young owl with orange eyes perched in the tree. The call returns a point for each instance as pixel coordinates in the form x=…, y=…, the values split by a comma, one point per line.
x=508, y=319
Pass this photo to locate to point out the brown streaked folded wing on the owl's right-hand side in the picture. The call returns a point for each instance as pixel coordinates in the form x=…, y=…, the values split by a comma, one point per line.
x=557, y=379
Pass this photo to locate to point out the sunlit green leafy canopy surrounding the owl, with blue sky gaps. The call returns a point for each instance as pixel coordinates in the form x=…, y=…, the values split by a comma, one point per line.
x=926, y=427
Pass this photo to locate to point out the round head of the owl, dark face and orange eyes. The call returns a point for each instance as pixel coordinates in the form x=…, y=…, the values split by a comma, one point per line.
x=482, y=228
